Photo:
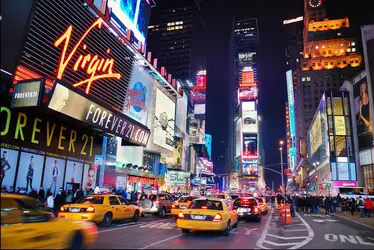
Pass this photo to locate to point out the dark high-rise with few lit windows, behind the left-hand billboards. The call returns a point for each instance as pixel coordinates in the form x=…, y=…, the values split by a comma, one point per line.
x=176, y=37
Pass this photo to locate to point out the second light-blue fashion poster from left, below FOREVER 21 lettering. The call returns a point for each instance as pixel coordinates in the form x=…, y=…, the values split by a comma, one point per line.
x=30, y=171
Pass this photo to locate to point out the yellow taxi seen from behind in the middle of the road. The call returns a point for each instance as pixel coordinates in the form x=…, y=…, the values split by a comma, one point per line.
x=208, y=214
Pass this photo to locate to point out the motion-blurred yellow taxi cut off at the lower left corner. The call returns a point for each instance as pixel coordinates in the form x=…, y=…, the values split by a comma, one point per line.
x=25, y=226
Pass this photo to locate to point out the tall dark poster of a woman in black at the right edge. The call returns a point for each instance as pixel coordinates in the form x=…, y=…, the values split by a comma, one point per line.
x=363, y=115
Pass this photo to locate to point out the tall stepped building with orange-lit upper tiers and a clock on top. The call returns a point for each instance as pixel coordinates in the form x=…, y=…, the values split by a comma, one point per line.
x=330, y=55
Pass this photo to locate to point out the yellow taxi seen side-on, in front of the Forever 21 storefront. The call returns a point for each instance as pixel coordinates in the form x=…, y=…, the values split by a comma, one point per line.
x=100, y=208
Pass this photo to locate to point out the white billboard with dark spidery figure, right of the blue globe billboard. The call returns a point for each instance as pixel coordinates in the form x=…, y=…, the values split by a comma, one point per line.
x=163, y=134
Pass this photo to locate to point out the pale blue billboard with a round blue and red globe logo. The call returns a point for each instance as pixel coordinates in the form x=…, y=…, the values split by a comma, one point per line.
x=139, y=95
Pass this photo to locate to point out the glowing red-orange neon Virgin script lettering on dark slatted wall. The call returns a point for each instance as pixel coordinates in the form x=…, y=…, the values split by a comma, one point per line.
x=96, y=68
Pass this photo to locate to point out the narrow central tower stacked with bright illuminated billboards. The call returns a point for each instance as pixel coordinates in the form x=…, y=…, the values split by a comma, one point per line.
x=244, y=116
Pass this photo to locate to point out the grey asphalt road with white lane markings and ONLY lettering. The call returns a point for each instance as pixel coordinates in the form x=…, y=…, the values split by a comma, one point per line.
x=305, y=232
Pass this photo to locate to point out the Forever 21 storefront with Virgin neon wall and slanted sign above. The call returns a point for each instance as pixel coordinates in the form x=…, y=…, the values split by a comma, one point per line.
x=55, y=123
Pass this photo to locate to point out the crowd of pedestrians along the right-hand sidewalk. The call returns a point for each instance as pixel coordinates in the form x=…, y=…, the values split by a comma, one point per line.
x=331, y=205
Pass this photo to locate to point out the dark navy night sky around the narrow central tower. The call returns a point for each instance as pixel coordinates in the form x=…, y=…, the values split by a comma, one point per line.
x=218, y=17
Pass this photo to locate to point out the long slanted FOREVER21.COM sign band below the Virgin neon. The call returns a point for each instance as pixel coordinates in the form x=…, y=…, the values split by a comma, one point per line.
x=72, y=104
